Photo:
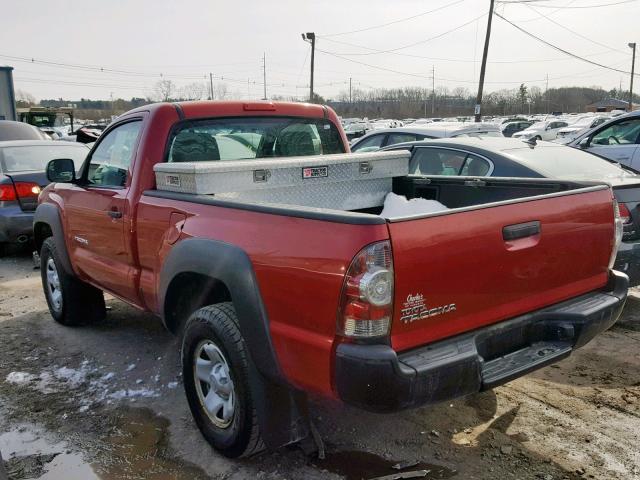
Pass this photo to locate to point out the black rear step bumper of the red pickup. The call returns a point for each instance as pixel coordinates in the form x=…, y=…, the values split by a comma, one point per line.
x=375, y=378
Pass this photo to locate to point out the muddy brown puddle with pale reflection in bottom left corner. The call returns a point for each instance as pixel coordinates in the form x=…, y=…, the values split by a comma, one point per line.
x=136, y=448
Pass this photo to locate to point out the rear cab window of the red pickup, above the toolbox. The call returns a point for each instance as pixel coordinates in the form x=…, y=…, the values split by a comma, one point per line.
x=244, y=138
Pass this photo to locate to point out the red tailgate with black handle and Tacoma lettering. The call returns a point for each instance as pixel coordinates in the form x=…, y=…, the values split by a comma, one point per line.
x=455, y=272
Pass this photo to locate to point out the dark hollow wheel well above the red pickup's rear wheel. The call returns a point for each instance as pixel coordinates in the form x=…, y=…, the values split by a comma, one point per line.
x=188, y=292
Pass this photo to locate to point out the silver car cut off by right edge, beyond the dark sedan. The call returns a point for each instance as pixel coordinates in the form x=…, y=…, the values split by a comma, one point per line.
x=618, y=139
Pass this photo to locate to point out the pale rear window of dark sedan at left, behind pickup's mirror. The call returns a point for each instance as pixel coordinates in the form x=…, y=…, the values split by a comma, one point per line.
x=36, y=157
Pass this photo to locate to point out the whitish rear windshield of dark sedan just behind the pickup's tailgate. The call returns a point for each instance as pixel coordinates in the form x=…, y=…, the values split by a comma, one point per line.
x=568, y=163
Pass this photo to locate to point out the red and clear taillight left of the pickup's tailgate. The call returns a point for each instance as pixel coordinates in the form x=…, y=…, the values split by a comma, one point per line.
x=366, y=305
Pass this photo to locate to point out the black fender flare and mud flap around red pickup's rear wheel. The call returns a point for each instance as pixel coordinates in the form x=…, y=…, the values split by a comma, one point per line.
x=282, y=410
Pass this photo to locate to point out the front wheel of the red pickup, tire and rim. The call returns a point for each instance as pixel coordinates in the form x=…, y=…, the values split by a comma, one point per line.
x=71, y=301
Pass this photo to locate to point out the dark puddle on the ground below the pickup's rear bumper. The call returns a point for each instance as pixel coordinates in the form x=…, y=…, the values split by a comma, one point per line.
x=355, y=465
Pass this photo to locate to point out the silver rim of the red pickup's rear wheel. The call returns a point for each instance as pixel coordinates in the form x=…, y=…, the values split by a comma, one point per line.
x=214, y=385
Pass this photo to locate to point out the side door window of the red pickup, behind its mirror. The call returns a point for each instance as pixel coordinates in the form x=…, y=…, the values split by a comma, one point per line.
x=111, y=160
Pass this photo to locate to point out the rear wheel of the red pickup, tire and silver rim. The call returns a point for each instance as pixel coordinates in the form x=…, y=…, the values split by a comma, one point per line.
x=213, y=341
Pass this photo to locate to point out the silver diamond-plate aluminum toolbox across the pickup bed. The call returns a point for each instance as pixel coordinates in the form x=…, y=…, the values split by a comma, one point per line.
x=343, y=182
